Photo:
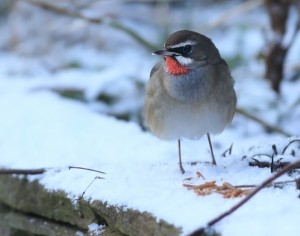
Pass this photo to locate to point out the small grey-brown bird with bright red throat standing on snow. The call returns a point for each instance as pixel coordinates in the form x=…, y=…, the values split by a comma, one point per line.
x=190, y=92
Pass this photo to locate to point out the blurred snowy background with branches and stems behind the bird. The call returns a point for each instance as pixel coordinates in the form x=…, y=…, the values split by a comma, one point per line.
x=98, y=52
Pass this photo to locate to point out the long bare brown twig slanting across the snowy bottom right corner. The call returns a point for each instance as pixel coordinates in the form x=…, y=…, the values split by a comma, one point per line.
x=265, y=183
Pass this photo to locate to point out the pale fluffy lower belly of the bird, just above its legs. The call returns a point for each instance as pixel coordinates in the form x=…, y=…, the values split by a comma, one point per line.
x=188, y=121
